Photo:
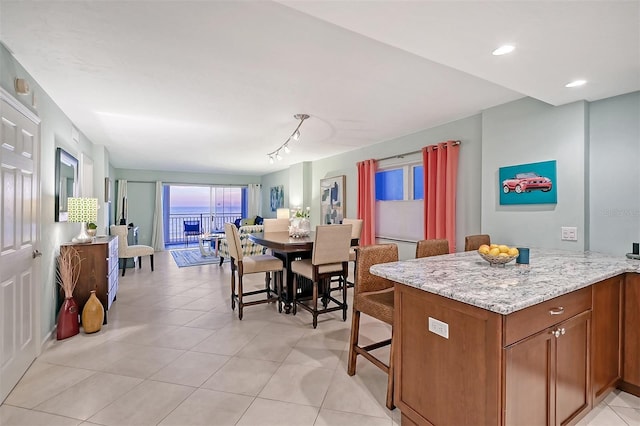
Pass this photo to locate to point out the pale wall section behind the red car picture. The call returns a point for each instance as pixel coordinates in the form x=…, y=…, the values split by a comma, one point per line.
x=529, y=131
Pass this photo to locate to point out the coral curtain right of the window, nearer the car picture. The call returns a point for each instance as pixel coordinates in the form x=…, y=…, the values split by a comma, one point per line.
x=440, y=179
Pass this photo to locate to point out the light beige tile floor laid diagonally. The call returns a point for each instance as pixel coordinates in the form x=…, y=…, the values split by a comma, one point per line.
x=173, y=353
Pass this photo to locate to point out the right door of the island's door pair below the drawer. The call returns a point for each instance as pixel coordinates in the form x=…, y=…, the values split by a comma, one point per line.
x=572, y=368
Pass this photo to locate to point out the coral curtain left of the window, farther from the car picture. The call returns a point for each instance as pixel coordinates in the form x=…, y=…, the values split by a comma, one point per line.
x=367, y=201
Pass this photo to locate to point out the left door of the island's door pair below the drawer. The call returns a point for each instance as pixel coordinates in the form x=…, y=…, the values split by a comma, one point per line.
x=529, y=380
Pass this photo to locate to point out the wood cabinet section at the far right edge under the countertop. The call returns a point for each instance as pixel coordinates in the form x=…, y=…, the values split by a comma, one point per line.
x=631, y=339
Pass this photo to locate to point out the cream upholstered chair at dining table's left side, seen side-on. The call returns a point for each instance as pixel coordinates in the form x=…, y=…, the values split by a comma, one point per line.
x=242, y=265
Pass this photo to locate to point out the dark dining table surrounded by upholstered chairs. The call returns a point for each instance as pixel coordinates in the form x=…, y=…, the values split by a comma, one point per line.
x=288, y=249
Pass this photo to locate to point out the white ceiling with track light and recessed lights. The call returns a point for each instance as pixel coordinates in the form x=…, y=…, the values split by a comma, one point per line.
x=212, y=86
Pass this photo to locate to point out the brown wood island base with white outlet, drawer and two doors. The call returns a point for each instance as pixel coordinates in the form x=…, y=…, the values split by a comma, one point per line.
x=530, y=367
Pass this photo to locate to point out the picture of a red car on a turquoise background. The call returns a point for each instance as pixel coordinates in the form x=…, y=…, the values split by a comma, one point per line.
x=533, y=183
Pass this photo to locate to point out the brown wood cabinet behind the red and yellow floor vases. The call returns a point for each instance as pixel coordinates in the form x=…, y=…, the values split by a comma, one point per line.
x=98, y=271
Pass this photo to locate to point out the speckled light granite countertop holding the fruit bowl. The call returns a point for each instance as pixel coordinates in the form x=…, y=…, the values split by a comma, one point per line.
x=468, y=278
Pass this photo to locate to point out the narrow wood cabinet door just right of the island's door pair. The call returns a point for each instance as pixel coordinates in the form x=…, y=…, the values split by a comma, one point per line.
x=606, y=333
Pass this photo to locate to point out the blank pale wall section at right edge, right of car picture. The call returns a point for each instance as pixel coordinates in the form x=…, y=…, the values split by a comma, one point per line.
x=614, y=174
